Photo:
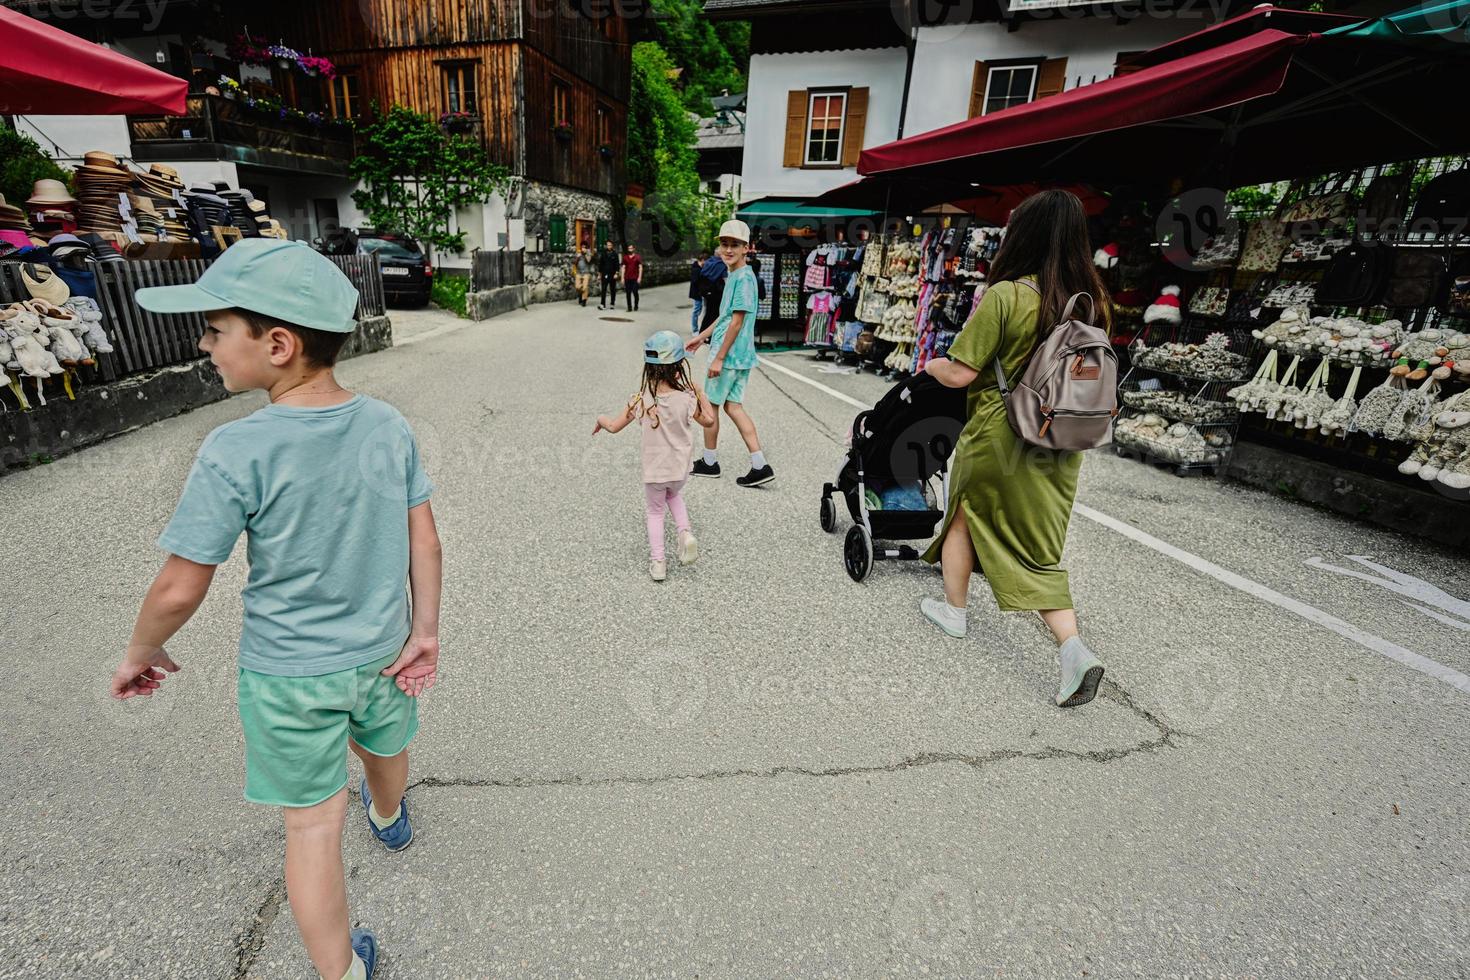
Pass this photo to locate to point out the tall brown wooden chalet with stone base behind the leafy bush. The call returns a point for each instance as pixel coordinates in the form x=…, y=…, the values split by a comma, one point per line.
x=543, y=83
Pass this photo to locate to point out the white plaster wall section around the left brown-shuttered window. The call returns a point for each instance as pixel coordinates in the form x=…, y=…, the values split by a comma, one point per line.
x=774, y=76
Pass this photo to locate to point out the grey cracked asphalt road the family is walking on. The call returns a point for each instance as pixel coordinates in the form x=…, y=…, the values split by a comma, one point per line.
x=758, y=768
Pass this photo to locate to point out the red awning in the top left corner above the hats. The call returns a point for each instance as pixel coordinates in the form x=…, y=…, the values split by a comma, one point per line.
x=45, y=70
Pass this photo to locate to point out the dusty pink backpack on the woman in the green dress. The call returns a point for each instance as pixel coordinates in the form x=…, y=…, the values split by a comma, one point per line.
x=1068, y=396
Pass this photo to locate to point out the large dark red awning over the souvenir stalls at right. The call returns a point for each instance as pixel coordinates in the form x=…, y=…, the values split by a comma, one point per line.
x=1272, y=105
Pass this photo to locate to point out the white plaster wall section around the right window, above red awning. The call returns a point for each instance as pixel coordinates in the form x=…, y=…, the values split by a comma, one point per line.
x=944, y=58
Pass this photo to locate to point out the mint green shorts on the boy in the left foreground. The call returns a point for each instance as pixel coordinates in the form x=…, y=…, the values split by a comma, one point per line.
x=298, y=729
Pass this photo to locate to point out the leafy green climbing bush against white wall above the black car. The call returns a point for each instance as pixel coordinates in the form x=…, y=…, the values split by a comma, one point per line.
x=415, y=177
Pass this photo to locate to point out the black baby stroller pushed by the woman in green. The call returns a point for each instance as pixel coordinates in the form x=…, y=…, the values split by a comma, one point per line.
x=899, y=447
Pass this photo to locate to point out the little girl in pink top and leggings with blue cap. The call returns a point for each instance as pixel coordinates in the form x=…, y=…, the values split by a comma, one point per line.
x=668, y=405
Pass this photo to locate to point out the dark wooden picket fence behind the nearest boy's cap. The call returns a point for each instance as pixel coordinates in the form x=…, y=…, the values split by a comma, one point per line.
x=148, y=342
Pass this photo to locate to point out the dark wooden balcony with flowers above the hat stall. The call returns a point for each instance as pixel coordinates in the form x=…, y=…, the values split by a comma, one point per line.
x=218, y=129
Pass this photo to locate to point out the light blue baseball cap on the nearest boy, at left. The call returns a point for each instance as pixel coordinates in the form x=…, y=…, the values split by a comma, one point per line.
x=286, y=280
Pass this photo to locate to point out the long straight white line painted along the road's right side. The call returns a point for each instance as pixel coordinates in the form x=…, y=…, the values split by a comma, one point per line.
x=1205, y=566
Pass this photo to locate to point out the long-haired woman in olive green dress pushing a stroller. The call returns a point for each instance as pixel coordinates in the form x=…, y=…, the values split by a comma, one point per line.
x=1017, y=499
